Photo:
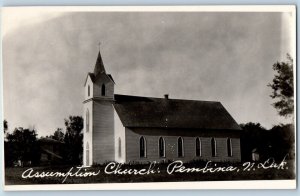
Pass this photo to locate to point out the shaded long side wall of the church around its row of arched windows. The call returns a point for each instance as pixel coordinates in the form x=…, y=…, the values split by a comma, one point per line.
x=171, y=147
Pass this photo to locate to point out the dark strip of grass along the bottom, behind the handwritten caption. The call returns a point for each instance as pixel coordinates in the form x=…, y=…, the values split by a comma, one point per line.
x=13, y=176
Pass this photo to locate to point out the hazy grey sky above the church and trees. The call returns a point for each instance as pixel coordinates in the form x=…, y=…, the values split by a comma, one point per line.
x=213, y=56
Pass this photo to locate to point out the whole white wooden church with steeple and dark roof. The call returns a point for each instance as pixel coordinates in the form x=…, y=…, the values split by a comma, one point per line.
x=153, y=129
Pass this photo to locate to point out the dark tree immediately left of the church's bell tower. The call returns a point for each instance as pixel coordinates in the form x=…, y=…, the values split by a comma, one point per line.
x=73, y=140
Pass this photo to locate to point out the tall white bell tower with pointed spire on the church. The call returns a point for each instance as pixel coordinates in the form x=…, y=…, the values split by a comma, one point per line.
x=98, y=137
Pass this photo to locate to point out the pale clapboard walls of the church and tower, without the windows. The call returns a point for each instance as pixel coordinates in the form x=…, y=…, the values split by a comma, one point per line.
x=103, y=138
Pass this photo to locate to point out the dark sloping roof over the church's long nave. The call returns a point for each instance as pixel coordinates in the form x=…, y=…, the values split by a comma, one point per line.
x=148, y=112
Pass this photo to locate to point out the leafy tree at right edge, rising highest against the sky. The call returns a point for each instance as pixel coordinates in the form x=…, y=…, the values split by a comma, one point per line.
x=283, y=87
